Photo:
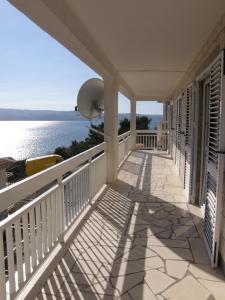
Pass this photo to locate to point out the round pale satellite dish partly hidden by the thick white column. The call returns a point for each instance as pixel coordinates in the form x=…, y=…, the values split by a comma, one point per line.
x=90, y=99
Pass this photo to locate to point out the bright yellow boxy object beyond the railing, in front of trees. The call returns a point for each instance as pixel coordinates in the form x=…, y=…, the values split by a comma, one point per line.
x=37, y=164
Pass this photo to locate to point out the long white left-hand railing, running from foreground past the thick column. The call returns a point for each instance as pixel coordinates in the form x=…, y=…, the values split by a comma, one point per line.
x=57, y=196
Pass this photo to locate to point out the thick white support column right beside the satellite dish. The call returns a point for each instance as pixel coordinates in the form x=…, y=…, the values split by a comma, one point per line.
x=111, y=126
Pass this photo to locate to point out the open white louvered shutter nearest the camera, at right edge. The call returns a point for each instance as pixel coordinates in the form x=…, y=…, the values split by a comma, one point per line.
x=215, y=161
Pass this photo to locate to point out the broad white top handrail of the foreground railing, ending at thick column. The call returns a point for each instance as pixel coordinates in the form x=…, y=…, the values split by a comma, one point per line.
x=26, y=187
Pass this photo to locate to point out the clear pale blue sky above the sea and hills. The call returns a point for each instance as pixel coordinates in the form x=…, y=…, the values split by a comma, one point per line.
x=37, y=72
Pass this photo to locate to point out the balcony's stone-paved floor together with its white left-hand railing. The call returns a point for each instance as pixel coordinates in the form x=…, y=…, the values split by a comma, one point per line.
x=137, y=238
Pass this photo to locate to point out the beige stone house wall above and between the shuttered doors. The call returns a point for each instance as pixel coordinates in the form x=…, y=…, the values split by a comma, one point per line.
x=208, y=52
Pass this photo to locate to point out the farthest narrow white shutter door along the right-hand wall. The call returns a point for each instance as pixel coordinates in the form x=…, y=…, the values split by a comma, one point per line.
x=178, y=134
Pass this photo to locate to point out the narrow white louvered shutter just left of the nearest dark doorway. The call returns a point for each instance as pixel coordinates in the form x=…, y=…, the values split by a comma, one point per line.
x=188, y=140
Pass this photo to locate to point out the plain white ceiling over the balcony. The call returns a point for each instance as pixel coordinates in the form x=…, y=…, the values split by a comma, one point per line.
x=149, y=43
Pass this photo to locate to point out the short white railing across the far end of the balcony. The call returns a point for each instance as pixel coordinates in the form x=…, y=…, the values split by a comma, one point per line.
x=152, y=139
